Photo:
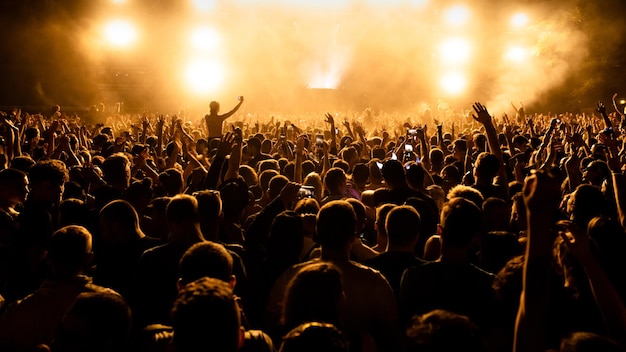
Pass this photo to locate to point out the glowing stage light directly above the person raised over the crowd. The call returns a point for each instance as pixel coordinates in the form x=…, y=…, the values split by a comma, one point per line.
x=204, y=76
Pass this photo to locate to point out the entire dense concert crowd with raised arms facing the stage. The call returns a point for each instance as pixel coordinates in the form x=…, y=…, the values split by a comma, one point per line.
x=440, y=231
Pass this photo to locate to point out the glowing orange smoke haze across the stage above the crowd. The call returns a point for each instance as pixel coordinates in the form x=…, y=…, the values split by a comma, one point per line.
x=288, y=56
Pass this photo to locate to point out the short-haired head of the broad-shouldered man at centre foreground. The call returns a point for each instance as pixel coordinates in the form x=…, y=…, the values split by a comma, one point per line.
x=336, y=225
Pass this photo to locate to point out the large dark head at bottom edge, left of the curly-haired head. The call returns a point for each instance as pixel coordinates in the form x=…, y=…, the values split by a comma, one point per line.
x=96, y=322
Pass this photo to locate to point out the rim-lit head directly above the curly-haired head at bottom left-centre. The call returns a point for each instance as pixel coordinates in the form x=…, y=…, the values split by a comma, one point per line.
x=209, y=259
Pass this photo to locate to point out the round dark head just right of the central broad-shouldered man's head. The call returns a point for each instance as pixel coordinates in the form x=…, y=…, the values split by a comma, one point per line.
x=402, y=226
